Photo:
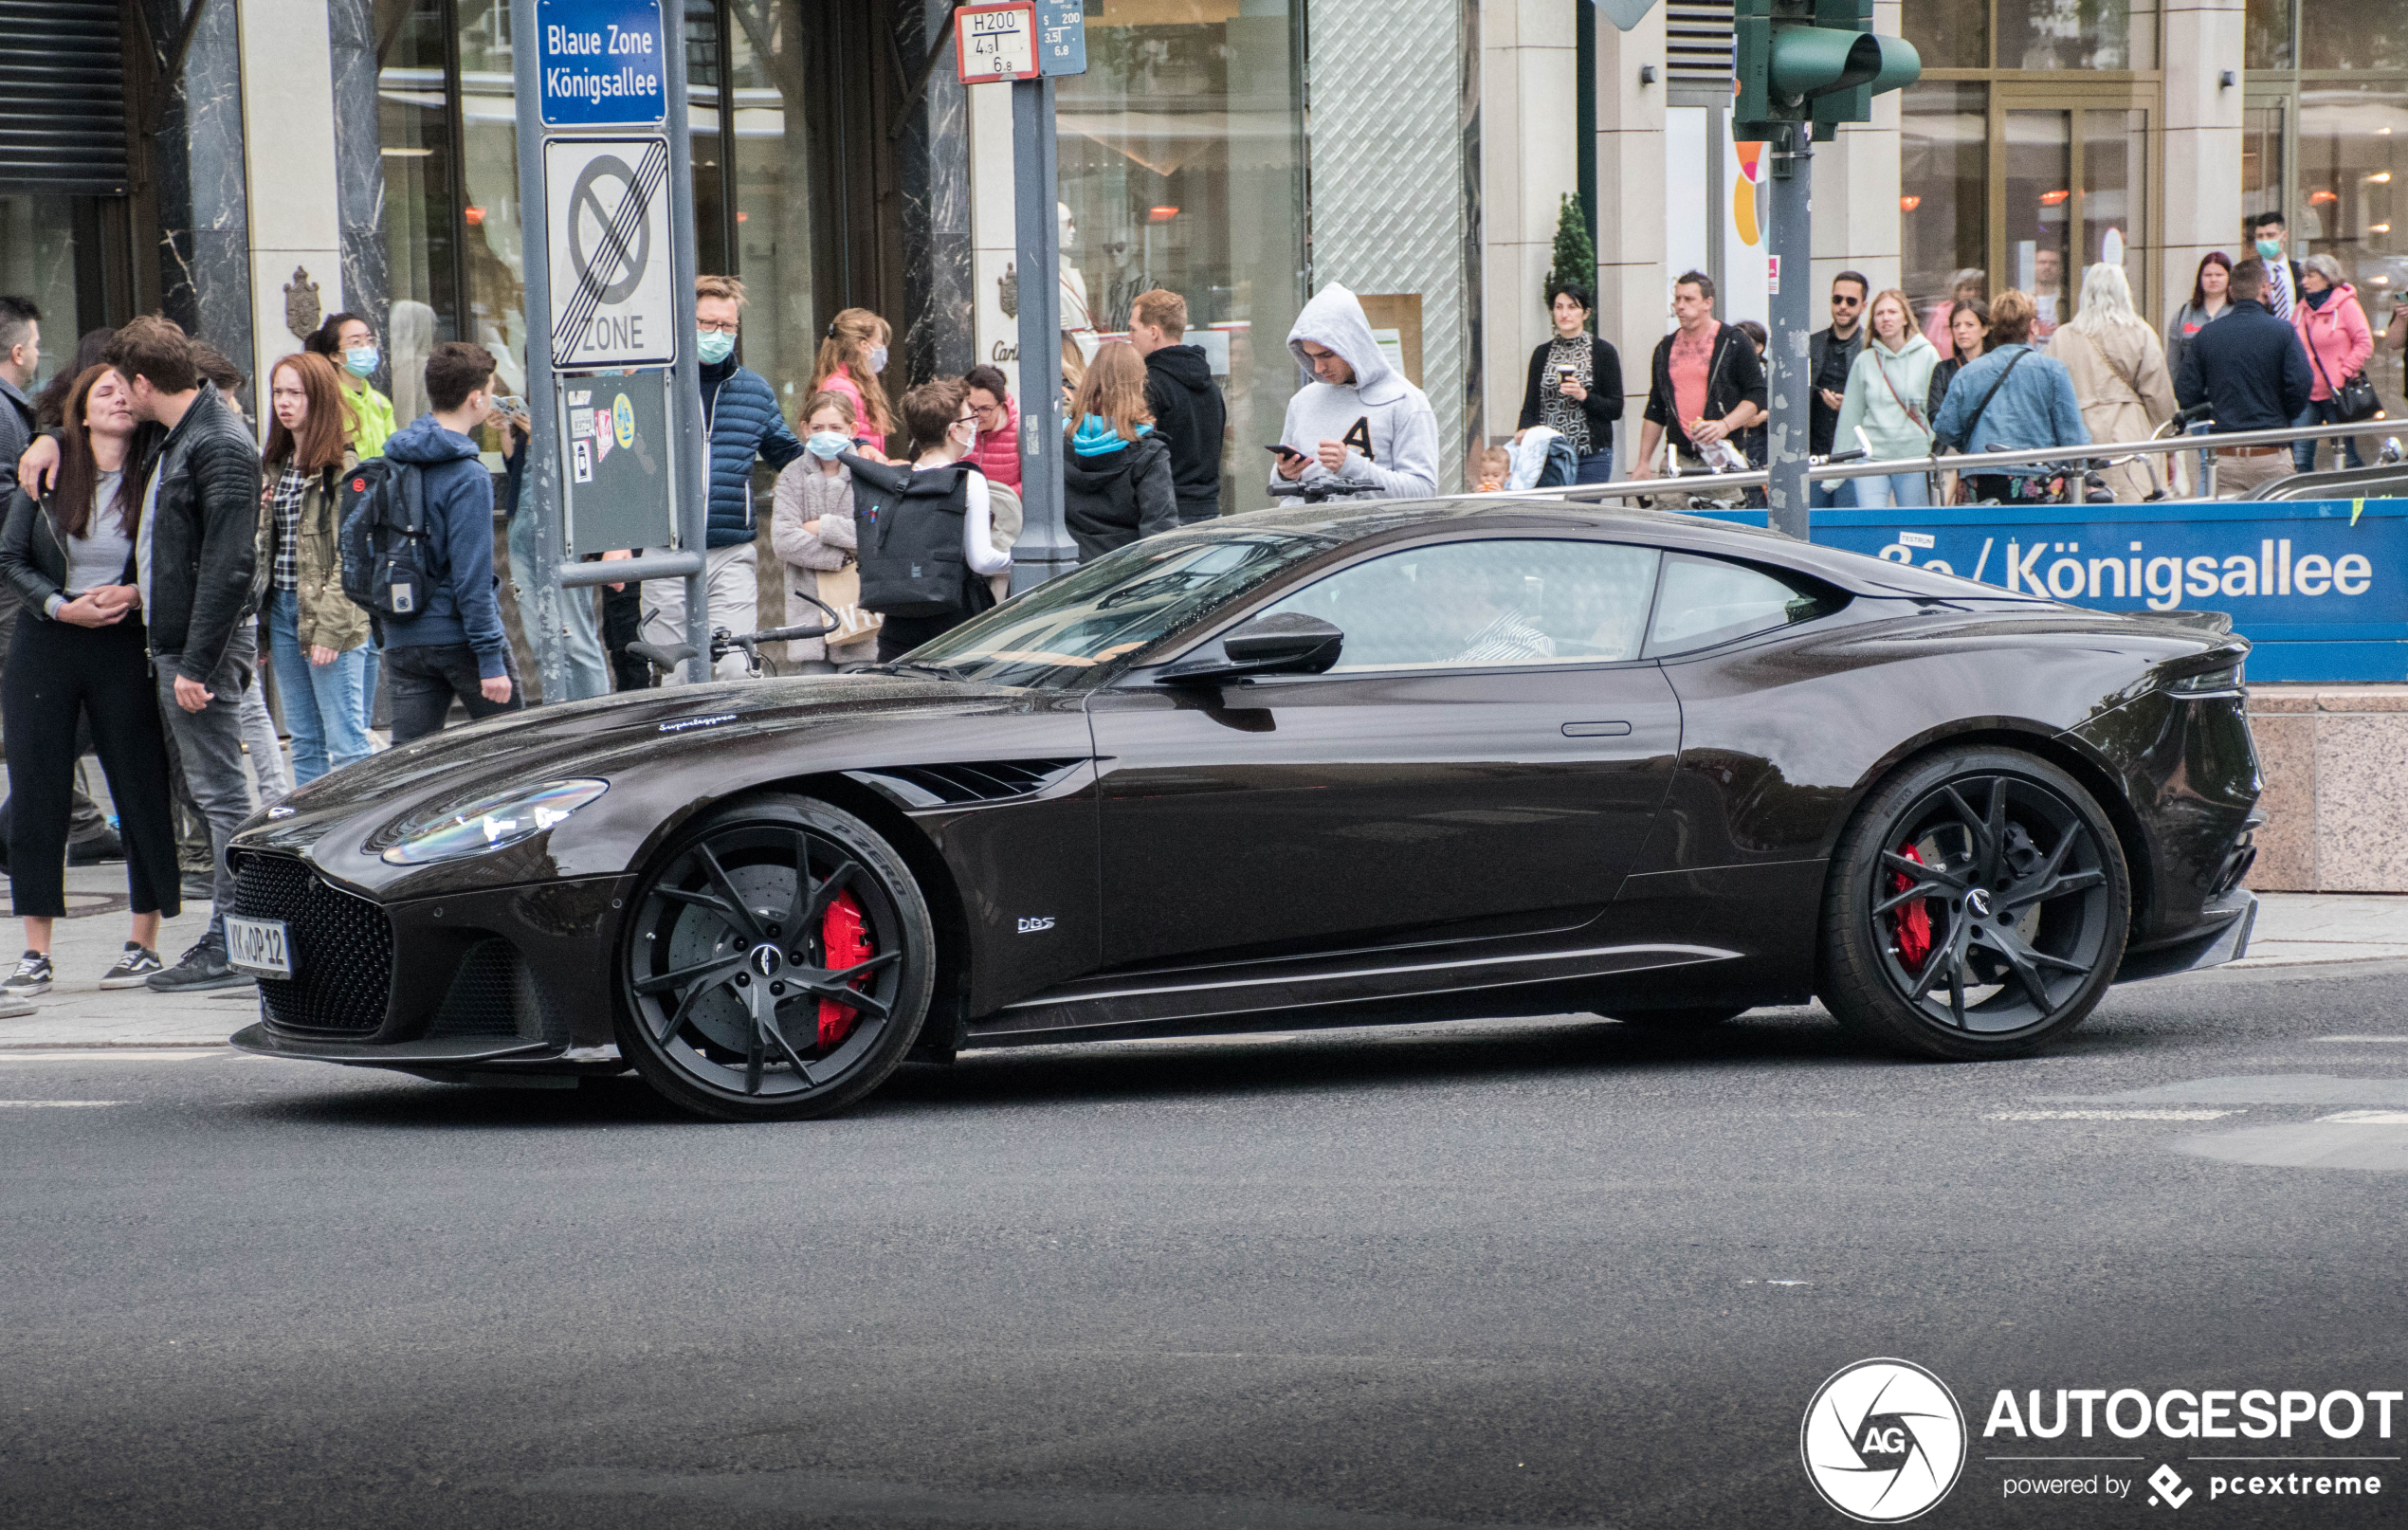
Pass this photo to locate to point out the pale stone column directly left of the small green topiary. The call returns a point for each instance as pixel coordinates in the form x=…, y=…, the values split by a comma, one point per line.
x=1530, y=78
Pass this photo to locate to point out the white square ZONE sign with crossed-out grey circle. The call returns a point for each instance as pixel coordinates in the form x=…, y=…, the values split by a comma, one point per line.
x=613, y=286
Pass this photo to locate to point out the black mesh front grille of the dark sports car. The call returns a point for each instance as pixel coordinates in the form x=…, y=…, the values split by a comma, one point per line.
x=341, y=948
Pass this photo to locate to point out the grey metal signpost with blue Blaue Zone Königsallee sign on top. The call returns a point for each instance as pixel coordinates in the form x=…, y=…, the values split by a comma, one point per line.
x=608, y=184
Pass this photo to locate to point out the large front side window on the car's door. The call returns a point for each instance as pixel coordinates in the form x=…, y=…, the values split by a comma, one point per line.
x=1487, y=604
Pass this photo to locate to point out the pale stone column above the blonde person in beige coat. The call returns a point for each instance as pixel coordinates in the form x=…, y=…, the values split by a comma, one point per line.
x=2202, y=146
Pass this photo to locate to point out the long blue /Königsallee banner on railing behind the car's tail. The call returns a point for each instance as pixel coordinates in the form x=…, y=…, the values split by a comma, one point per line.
x=2320, y=587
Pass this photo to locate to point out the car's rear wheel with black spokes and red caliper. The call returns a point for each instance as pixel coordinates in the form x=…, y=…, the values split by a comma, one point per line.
x=1976, y=910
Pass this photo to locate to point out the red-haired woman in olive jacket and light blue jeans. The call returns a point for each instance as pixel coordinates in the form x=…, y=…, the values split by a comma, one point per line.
x=317, y=637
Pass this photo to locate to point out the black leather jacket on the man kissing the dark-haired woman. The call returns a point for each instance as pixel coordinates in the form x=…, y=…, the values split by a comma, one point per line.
x=206, y=536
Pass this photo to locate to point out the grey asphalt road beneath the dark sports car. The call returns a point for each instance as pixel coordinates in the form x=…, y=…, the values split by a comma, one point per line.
x=1538, y=1273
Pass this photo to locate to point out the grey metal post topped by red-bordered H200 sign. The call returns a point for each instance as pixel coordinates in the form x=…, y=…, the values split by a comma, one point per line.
x=993, y=47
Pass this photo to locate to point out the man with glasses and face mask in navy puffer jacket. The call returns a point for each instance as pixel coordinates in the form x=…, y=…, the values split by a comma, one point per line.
x=743, y=423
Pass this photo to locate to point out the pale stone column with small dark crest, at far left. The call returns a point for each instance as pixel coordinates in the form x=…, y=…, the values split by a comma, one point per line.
x=295, y=201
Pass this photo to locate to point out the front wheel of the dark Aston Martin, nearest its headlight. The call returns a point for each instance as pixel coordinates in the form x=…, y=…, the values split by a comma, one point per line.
x=777, y=965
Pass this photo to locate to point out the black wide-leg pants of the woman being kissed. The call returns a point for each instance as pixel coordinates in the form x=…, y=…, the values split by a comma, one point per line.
x=54, y=673
